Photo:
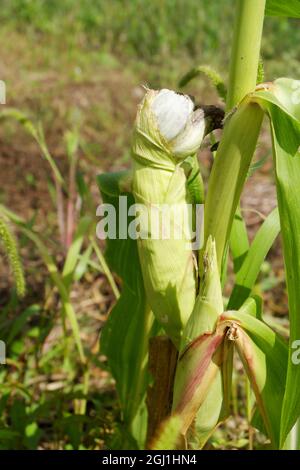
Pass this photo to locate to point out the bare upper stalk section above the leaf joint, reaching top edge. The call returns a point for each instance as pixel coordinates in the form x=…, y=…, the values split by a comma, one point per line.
x=245, y=50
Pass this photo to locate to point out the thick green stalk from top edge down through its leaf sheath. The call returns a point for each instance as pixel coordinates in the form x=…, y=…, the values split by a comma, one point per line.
x=241, y=130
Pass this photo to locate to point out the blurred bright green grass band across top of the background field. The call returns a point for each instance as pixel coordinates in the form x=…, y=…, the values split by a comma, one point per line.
x=152, y=30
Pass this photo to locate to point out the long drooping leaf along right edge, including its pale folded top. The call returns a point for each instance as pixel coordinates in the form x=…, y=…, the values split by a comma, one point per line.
x=282, y=103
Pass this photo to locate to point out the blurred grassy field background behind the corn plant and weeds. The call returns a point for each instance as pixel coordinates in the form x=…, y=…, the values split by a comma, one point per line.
x=76, y=66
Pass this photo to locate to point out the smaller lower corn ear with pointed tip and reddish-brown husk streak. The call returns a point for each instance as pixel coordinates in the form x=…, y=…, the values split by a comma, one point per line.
x=198, y=389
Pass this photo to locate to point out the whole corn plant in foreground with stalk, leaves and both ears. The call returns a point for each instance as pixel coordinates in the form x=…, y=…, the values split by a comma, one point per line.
x=172, y=297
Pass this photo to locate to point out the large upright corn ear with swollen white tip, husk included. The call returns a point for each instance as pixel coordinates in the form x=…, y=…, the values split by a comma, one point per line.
x=165, y=135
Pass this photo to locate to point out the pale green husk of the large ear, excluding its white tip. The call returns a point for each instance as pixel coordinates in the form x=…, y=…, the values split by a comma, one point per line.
x=160, y=185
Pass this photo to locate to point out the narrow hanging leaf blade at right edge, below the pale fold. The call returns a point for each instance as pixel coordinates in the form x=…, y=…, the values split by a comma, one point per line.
x=288, y=177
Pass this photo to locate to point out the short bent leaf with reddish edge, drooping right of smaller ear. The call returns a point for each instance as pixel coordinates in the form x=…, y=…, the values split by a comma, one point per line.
x=264, y=355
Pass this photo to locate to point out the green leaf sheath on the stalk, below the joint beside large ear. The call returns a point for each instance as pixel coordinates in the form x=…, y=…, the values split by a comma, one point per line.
x=229, y=174
